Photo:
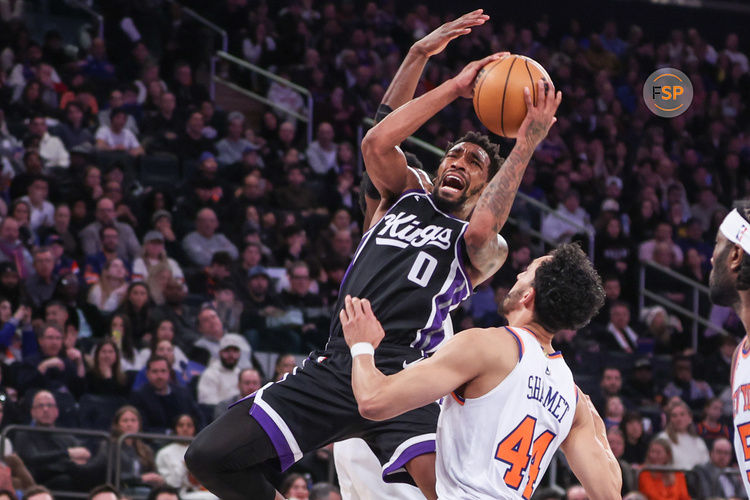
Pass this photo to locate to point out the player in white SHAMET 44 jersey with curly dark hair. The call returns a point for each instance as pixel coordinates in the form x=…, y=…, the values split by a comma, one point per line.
x=509, y=401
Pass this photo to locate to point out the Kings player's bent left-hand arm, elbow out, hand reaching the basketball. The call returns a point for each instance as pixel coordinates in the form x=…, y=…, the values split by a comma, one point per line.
x=384, y=161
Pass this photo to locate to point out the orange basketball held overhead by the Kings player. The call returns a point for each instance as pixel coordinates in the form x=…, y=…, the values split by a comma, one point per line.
x=498, y=92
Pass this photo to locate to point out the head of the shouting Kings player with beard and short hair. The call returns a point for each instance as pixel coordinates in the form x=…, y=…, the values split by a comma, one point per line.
x=466, y=168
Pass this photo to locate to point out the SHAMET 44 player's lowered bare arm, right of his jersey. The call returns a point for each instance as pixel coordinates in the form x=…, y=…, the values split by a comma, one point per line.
x=587, y=450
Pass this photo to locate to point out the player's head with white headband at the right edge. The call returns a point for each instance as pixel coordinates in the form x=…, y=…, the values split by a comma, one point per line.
x=729, y=282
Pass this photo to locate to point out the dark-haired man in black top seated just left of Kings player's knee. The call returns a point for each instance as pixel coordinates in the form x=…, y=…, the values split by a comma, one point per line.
x=159, y=401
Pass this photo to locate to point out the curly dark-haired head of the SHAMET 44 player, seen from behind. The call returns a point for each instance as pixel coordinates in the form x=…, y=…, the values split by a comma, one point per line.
x=559, y=291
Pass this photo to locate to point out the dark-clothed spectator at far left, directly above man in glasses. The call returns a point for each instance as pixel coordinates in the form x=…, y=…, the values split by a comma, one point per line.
x=52, y=368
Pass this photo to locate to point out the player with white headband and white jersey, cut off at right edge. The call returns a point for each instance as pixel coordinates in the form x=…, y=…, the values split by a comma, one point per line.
x=730, y=287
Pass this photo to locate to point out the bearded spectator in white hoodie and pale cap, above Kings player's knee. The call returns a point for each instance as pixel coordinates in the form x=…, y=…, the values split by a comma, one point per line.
x=218, y=382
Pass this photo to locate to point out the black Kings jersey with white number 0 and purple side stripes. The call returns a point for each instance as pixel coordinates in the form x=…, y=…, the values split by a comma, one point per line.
x=410, y=267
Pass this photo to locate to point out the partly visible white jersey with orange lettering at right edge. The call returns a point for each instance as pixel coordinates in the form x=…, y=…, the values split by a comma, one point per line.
x=741, y=411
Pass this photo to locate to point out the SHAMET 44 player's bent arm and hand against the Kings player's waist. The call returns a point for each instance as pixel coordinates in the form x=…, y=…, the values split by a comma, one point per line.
x=480, y=357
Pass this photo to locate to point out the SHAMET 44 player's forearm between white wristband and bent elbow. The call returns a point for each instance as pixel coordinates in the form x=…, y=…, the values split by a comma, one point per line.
x=371, y=389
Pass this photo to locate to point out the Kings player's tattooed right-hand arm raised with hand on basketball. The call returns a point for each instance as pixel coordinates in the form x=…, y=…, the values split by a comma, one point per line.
x=485, y=250
